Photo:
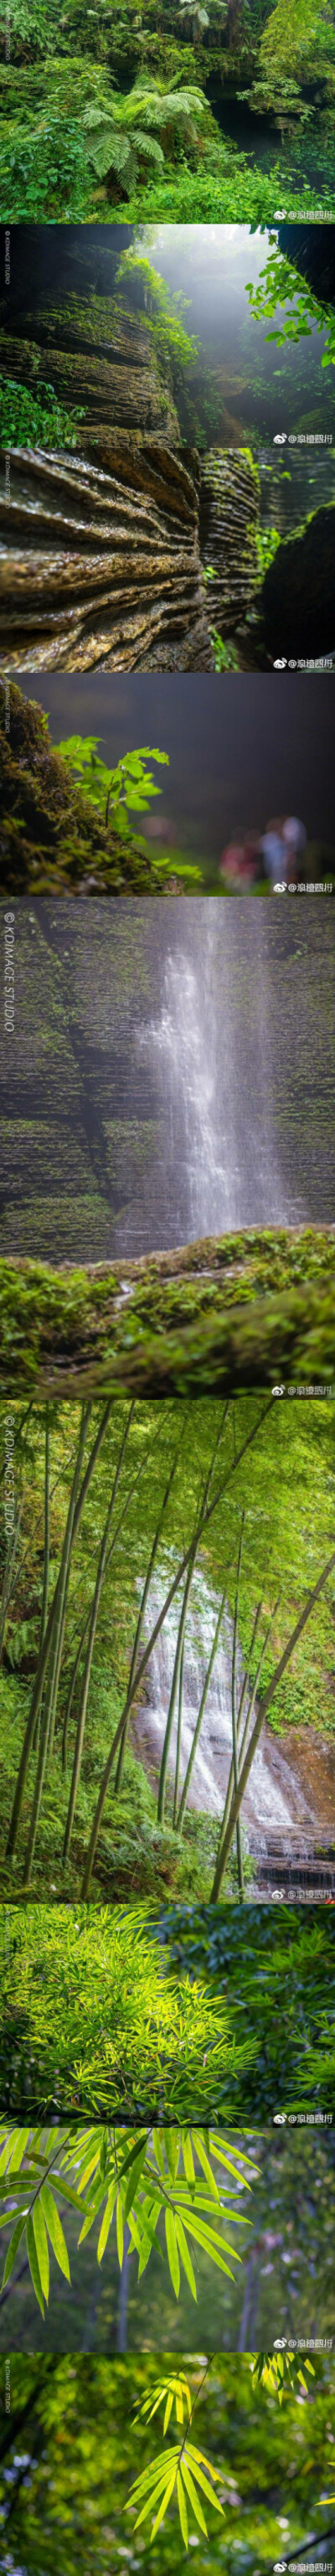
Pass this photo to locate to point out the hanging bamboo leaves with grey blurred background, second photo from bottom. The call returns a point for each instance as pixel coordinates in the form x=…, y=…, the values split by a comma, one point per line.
x=272, y=2230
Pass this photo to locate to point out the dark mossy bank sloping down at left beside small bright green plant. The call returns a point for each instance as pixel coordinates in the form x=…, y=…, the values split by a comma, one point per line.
x=53, y=841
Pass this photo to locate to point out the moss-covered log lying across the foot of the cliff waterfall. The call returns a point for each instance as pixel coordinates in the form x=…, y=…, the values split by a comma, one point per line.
x=218, y=1315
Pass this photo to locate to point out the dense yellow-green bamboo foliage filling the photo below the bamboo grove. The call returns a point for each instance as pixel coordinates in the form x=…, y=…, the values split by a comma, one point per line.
x=99, y=2018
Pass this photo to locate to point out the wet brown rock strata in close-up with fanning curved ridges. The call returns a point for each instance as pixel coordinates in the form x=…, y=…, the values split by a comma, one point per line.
x=102, y=565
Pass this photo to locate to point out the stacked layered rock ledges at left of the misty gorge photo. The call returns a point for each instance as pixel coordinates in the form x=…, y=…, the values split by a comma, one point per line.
x=97, y=357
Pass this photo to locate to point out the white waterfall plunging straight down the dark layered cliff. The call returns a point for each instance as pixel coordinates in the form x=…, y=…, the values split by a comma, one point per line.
x=210, y=1050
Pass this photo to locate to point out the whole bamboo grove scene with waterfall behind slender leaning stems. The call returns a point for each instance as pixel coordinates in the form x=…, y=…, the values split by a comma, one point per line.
x=133, y=1542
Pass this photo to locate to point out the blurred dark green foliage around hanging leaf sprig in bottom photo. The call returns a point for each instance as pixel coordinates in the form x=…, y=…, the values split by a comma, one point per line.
x=79, y=2430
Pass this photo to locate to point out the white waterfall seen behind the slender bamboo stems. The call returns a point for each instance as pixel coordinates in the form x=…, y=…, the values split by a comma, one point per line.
x=290, y=1797
